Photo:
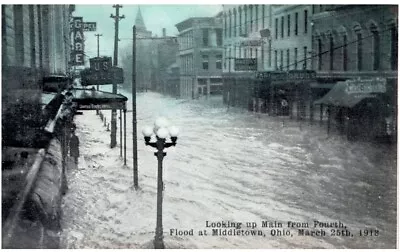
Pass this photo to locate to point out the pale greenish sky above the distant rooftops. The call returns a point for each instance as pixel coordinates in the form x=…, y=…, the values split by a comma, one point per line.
x=155, y=18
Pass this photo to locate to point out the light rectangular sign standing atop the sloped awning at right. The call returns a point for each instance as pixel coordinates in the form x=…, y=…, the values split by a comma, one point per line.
x=362, y=86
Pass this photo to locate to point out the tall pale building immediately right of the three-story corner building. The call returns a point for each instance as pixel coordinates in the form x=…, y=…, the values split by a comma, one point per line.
x=248, y=47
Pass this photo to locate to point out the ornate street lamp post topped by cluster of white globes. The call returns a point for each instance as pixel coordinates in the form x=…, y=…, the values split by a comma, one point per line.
x=162, y=133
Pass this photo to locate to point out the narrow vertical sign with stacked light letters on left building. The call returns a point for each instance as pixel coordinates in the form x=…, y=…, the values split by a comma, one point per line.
x=79, y=44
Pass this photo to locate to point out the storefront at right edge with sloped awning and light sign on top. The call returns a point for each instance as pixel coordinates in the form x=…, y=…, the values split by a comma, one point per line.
x=361, y=108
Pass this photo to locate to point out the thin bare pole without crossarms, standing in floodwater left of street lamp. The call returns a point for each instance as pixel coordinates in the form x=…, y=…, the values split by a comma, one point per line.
x=134, y=122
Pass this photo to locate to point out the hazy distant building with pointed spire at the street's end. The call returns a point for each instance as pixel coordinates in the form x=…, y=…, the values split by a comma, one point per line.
x=143, y=50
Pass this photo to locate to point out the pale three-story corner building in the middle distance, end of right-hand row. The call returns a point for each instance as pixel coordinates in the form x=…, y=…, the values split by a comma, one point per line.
x=200, y=56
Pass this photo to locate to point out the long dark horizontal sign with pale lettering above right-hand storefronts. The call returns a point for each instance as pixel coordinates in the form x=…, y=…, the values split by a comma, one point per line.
x=292, y=75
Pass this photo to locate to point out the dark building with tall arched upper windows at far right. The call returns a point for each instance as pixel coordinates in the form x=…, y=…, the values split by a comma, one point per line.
x=359, y=43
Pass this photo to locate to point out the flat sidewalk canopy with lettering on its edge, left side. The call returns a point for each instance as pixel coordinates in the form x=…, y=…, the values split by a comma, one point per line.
x=88, y=99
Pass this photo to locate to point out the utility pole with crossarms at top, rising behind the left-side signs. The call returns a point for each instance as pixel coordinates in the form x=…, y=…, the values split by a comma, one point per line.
x=116, y=18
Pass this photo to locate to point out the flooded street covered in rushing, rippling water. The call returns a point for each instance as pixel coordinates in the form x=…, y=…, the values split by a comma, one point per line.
x=228, y=166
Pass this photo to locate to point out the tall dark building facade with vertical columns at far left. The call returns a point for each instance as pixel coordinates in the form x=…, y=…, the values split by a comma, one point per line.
x=35, y=44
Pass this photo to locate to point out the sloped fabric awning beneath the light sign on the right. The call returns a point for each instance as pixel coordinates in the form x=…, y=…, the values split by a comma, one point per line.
x=338, y=96
